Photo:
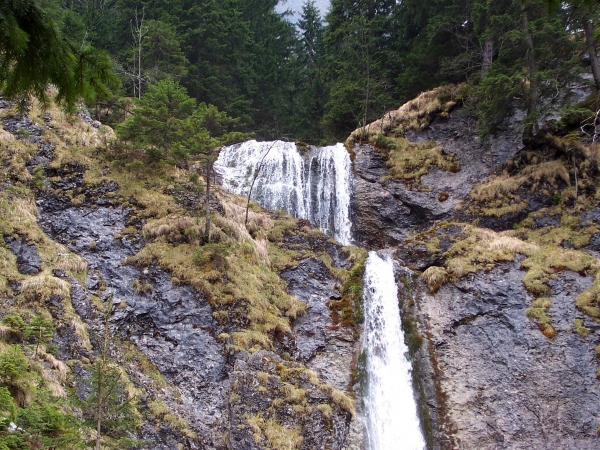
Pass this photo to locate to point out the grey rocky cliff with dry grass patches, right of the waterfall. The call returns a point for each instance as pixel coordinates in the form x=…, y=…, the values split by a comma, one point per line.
x=502, y=325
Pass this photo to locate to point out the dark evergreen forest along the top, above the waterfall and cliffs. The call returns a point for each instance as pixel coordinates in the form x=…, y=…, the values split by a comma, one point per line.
x=321, y=78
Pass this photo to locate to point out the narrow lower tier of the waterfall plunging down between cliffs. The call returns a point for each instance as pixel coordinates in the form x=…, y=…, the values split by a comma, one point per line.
x=390, y=409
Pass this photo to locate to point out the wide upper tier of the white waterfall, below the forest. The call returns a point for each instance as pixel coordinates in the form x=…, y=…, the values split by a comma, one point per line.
x=314, y=184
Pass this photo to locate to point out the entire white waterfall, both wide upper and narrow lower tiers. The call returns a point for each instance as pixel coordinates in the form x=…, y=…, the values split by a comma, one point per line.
x=316, y=184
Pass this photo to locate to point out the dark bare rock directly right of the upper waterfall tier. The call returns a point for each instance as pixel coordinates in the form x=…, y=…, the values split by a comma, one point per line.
x=386, y=211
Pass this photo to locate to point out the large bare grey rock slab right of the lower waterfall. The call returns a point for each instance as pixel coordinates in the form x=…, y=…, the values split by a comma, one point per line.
x=501, y=383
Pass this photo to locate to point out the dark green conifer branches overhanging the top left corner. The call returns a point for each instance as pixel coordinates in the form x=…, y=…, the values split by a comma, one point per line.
x=33, y=54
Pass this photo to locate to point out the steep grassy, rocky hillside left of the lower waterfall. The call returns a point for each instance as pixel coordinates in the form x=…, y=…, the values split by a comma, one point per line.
x=212, y=347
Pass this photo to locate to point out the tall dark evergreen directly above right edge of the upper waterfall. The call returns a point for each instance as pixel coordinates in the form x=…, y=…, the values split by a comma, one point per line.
x=358, y=53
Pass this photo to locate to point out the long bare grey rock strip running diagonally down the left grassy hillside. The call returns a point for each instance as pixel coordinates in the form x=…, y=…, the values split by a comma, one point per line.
x=172, y=325
